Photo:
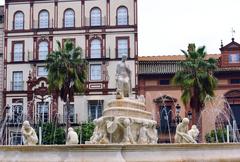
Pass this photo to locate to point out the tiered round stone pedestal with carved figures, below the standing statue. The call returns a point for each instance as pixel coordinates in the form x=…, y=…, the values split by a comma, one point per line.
x=125, y=121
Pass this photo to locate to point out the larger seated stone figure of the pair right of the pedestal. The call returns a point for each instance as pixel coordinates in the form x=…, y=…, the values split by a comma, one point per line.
x=182, y=135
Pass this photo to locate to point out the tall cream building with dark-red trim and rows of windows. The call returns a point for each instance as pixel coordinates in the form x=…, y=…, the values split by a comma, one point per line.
x=104, y=29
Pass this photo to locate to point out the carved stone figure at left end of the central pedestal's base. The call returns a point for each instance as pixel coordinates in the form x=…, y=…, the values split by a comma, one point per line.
x=99, y=134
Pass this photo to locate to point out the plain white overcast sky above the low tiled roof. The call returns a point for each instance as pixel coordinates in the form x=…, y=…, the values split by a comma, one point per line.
x=166, y=26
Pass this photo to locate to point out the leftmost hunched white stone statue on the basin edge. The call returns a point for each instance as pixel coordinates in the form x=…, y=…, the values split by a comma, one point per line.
x=29, y=134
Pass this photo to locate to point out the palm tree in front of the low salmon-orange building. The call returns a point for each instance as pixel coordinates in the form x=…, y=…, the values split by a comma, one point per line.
x=196, y=78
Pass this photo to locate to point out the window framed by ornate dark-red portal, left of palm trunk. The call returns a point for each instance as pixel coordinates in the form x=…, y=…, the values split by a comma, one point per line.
x=43, y=109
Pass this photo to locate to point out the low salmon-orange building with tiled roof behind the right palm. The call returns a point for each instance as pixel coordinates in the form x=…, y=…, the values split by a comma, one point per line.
x=163, y=98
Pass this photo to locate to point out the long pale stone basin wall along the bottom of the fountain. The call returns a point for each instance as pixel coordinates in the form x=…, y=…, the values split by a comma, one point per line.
x=122, y=153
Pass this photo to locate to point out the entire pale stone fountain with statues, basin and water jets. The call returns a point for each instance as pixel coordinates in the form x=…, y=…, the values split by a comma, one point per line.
x=127, y=133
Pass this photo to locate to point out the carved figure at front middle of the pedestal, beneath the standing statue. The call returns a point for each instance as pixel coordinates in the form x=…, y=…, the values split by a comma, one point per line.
x=127, y=132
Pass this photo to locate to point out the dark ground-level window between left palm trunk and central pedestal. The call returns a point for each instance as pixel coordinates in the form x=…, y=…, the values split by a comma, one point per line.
x=95, y=108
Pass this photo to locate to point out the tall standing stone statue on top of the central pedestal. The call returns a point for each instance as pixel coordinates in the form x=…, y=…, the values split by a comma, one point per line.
x=123, y=78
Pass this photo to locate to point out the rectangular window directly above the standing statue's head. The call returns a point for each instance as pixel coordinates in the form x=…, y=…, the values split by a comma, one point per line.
x=122, y=47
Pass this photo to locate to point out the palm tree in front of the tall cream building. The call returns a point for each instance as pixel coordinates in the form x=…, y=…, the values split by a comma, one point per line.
x=67, y=71
